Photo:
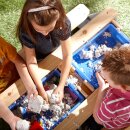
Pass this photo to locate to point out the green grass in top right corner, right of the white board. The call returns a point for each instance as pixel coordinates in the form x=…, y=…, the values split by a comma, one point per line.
x=122, y=6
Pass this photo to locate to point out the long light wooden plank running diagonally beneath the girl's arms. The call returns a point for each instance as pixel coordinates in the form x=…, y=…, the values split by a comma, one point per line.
x=51, y=62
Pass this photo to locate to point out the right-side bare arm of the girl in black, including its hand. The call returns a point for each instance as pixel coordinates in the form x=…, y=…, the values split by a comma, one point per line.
x=66, y=64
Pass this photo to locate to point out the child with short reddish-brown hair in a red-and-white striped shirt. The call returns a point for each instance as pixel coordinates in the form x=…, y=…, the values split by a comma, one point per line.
x=112, y=108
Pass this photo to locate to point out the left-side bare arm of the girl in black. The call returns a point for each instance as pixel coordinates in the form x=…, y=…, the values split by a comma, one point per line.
x=34, y=71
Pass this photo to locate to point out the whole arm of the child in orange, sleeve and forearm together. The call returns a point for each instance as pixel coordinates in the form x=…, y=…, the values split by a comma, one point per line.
x=12, y=55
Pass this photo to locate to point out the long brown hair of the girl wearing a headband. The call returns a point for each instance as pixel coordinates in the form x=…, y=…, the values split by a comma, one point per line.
x=42, y=17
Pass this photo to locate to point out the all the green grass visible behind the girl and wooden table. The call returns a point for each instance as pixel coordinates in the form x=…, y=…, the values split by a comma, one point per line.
x=11, y=9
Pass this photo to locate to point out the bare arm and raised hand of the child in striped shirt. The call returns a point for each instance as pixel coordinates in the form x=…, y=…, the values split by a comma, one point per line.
x=101, y=92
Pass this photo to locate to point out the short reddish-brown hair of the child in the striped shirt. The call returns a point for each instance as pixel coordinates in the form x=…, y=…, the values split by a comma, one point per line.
x=117, y=62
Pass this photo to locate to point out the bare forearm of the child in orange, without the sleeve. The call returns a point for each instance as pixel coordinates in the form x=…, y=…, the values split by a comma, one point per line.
x=25, y=76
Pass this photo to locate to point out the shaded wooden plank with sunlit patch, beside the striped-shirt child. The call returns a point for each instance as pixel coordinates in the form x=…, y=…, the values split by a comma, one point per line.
x=79, y=115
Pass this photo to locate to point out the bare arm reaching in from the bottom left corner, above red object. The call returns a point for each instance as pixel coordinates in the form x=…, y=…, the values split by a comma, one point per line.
x=8, y=116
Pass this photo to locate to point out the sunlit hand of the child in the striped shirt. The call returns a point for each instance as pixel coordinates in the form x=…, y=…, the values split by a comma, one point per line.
x=102, y=84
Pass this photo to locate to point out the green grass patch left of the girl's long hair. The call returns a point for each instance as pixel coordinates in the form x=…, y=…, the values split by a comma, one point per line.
x=9, y=14
